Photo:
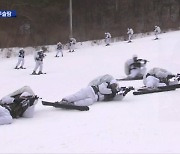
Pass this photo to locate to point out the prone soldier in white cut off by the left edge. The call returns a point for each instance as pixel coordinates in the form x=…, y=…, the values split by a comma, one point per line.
x=20, y=103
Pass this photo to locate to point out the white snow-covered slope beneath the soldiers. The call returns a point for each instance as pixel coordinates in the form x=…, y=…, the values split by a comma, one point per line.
x=138, y=124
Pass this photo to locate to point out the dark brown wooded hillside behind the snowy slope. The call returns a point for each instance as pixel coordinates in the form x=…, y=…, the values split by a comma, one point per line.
x=41, y=22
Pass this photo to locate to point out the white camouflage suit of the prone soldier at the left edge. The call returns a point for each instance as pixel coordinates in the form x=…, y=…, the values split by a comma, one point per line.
x=5, y=116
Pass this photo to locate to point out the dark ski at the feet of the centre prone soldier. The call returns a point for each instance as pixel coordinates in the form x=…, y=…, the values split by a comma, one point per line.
x=64, y=106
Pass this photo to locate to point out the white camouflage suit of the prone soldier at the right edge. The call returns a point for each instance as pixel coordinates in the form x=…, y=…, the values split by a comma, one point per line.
x=153, y=80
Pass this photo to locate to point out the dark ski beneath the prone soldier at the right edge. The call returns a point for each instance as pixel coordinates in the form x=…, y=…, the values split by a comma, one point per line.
x=142, y=91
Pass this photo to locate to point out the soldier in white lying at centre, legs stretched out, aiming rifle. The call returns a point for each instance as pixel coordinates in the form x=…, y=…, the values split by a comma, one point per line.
x=100, y=89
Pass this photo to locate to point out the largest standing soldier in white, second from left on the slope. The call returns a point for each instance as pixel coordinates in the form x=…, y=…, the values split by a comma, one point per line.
x=39, y=62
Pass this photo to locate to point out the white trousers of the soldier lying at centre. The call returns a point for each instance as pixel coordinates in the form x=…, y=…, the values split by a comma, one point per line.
x=84, y=97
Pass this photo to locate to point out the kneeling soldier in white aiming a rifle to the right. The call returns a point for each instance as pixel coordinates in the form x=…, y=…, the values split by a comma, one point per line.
x=135, y=68
